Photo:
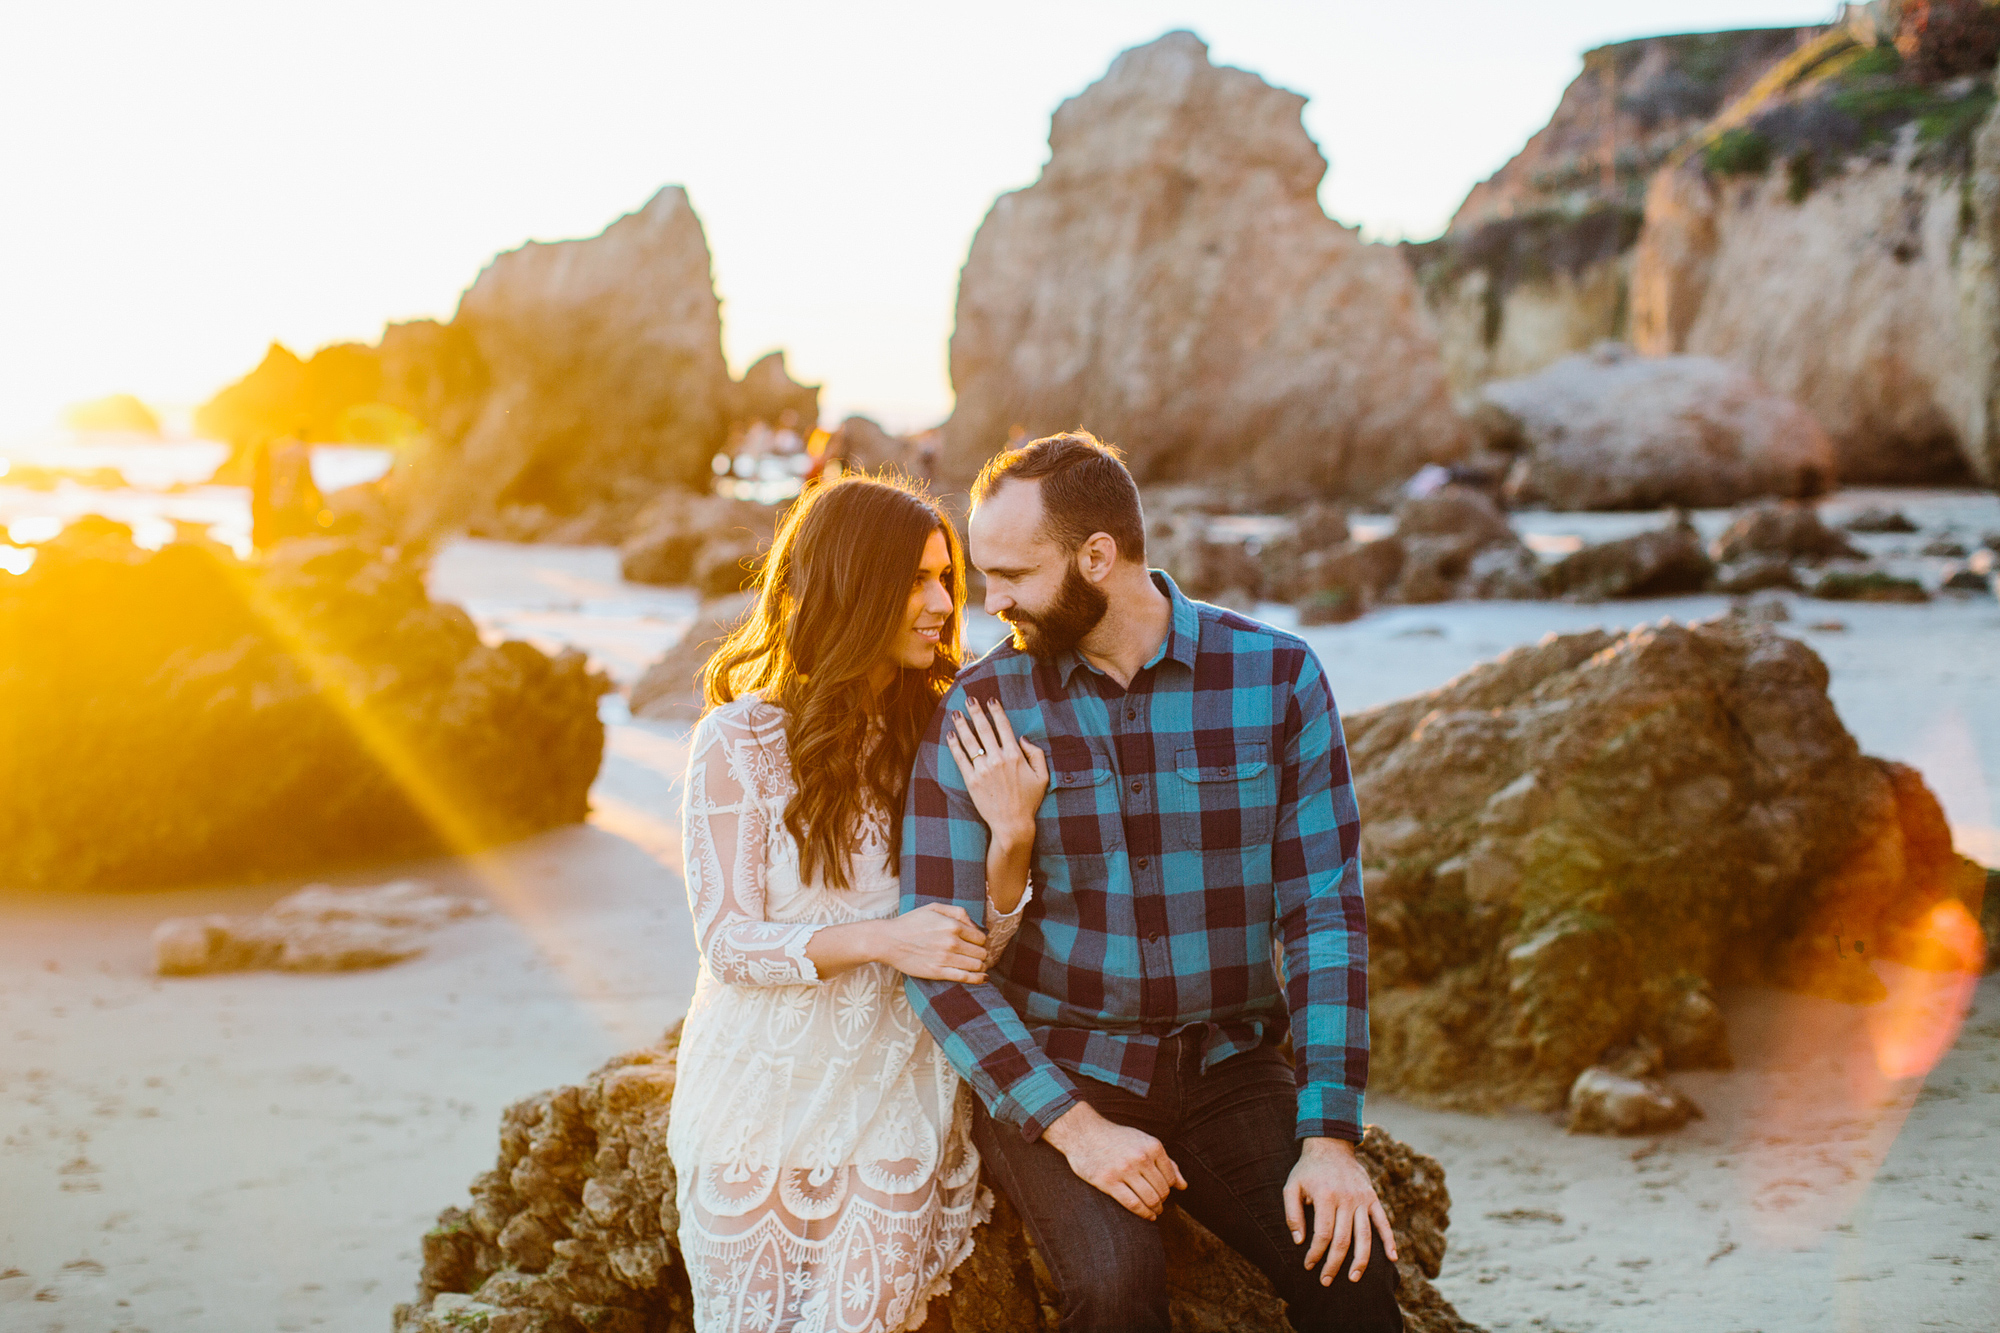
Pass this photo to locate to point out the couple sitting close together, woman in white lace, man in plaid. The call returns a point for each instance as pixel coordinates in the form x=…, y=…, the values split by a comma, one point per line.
x=1061, y=878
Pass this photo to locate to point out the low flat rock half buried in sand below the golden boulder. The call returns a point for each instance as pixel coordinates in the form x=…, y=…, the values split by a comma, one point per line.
x=317, y=930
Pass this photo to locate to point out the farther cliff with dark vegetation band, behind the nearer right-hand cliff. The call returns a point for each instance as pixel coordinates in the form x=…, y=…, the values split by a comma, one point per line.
x=1539, y=259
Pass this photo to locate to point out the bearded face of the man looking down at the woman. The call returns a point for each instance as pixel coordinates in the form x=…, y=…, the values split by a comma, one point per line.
x=1031, y=581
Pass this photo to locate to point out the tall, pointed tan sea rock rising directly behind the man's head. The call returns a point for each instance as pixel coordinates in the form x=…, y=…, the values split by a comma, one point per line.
x=1173, y=285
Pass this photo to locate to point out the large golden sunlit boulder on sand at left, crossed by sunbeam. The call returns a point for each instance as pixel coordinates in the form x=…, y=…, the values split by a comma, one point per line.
x=221, y=720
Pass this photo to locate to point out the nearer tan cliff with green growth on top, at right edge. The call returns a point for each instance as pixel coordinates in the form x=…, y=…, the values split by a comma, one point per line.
x=1839, y=241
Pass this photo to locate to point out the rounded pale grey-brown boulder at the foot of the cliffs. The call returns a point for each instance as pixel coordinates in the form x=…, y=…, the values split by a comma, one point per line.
x=1619, y=431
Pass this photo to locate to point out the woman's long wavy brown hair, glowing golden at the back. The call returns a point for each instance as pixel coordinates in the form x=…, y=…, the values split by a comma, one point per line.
x=831, y=599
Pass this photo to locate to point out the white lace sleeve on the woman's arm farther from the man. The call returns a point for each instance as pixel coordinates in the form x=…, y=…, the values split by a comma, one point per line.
x=727, y=838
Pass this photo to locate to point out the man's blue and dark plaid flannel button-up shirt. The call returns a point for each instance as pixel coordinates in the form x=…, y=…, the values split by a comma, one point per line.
x=1191, y=822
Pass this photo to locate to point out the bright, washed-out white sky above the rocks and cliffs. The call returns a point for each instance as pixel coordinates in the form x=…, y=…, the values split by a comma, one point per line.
x=185, y=183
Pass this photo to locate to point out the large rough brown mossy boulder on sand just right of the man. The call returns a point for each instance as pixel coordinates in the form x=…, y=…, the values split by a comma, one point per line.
x=1573, y=846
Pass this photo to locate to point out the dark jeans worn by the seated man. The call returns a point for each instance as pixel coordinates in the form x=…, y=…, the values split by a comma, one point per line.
x=1231, y=1134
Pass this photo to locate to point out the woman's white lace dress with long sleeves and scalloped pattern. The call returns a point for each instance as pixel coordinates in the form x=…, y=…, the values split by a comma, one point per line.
x=827, y=1176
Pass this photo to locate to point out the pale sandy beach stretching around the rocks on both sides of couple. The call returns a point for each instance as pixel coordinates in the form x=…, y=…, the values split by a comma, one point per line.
x=261, y=1152
